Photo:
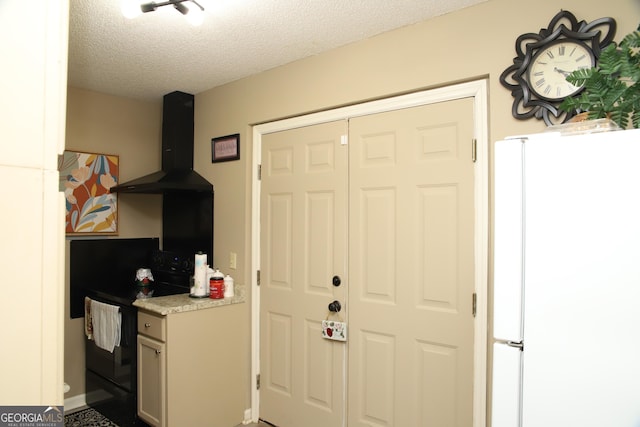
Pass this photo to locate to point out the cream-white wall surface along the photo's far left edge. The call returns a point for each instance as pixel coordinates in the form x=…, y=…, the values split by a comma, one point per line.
x=32, y=107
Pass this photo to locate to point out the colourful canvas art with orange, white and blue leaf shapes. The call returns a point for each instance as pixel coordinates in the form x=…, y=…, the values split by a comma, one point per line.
x=86, y=179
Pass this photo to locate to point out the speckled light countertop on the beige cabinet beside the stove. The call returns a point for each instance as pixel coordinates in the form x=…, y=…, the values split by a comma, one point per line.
x=183, y=302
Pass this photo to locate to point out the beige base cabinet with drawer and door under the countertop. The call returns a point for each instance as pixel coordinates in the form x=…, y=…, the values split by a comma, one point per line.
x=190, y=371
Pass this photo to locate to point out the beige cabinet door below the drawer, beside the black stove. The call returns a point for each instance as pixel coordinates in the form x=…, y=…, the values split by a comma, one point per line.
x=152, y=360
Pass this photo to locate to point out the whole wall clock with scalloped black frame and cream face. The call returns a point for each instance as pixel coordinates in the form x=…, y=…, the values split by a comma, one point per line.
x=537, y=77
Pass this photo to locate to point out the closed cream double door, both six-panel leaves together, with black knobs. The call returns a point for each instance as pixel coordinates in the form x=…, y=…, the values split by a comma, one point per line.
x=385, y=203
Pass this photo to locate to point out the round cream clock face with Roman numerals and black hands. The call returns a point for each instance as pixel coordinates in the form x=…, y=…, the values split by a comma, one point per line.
x=551, y=64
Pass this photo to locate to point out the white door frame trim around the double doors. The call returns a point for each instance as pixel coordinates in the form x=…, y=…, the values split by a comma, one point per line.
x=474, y=89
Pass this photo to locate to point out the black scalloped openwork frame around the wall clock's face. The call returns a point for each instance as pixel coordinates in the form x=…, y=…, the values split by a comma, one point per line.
x=564, y=25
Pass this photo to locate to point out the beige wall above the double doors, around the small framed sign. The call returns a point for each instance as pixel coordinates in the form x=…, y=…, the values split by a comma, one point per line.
x=474, y=43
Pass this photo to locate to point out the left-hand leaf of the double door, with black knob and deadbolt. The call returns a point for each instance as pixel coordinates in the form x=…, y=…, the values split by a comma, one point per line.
x=303, y=245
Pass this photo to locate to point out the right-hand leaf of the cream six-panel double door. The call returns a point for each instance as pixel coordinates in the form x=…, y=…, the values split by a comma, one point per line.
x=411, y=265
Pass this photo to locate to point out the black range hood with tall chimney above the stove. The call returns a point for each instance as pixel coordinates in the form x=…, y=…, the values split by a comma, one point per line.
x=177, y=174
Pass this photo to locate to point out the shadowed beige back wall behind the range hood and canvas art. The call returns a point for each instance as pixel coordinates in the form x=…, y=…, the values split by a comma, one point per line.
x=99, y=123
